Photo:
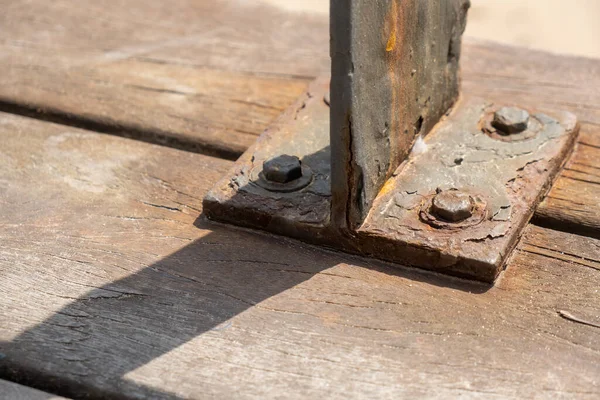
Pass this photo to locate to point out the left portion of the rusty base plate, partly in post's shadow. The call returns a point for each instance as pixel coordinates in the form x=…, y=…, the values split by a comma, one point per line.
x=241, y=198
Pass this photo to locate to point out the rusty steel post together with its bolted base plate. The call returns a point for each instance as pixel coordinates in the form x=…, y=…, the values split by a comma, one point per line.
x=457, y=207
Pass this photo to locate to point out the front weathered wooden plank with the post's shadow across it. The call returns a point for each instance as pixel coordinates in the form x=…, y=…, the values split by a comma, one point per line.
x=116, y=288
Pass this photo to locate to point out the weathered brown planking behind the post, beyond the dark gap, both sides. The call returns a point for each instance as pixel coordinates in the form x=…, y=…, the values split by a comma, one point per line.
x=211, y=75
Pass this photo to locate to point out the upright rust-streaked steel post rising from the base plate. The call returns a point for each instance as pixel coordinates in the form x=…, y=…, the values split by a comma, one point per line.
x=394, y=75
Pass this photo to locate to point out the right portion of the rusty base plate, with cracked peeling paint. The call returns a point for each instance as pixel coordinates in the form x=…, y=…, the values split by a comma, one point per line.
x=510, y=177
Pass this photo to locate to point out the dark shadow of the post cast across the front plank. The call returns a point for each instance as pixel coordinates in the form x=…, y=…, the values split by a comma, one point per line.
x=126, y=324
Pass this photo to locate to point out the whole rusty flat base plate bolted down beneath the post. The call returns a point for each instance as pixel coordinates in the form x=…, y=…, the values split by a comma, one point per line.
x=504, y=178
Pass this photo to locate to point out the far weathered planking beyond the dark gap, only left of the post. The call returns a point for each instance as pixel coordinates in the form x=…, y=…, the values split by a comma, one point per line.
x=208, y=75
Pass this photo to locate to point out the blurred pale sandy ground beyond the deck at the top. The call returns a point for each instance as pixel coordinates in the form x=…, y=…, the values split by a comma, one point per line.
x=560, y=26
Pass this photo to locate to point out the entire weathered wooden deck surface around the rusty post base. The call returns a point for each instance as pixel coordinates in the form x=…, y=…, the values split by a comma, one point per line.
x=116, y=119
